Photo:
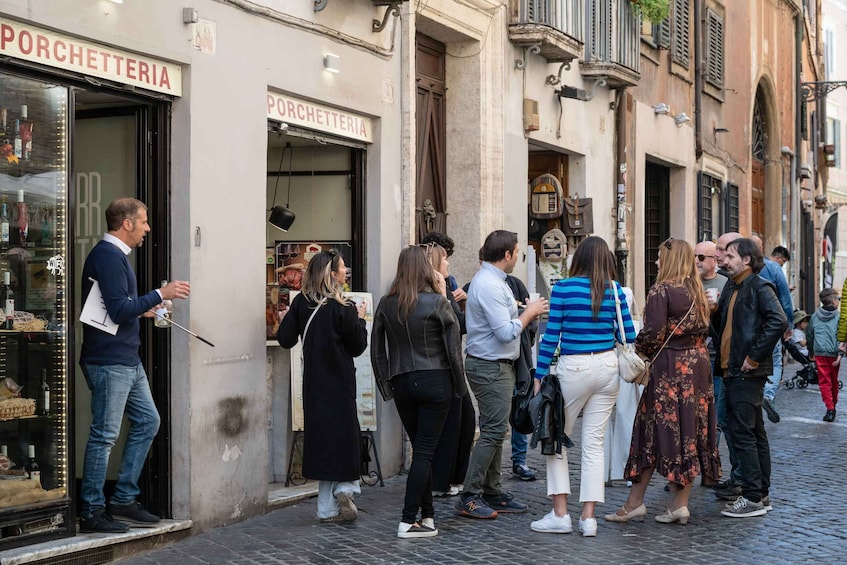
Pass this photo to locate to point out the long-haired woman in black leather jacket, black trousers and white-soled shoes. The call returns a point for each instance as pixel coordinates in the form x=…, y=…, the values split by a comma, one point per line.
x=416, y=354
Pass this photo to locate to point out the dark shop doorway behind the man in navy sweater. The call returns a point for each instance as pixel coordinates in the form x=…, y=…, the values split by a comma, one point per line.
x=118, y=150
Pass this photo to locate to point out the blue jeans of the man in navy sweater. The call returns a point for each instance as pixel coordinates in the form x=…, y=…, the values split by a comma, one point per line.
x=115, y=390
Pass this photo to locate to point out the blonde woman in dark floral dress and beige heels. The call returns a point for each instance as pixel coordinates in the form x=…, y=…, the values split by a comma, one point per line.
x=675, y=426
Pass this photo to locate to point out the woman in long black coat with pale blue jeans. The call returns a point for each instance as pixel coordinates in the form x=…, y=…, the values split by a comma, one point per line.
x=333, y=331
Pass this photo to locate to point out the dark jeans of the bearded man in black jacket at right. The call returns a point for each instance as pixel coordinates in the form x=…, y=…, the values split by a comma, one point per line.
x=746, y=434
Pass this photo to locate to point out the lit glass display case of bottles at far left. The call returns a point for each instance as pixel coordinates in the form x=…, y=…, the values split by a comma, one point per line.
x=34, y=343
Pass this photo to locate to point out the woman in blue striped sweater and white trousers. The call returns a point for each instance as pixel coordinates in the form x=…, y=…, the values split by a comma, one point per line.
x=582, y=325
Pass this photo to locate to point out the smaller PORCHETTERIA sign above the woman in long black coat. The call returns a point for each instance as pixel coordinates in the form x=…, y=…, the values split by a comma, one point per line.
x=298, y=112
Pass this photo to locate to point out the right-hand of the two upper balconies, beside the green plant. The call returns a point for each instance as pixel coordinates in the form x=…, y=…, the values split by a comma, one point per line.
x=612, y=48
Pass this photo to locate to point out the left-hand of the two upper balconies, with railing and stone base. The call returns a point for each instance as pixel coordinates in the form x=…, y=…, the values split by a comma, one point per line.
x=556, y=27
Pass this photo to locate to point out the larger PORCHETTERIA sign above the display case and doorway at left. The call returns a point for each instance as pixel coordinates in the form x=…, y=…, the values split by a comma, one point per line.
x=37, y=45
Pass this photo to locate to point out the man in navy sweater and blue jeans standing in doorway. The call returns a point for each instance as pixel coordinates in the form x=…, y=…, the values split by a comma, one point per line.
x=114, y=373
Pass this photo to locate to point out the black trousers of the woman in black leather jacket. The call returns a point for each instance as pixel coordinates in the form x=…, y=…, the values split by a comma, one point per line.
x=423, y=400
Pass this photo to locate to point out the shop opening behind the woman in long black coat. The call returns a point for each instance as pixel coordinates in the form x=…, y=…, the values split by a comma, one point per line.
x=320, y=179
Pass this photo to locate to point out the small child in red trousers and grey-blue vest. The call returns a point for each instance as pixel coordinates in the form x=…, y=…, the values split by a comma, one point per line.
x=821, y=337
